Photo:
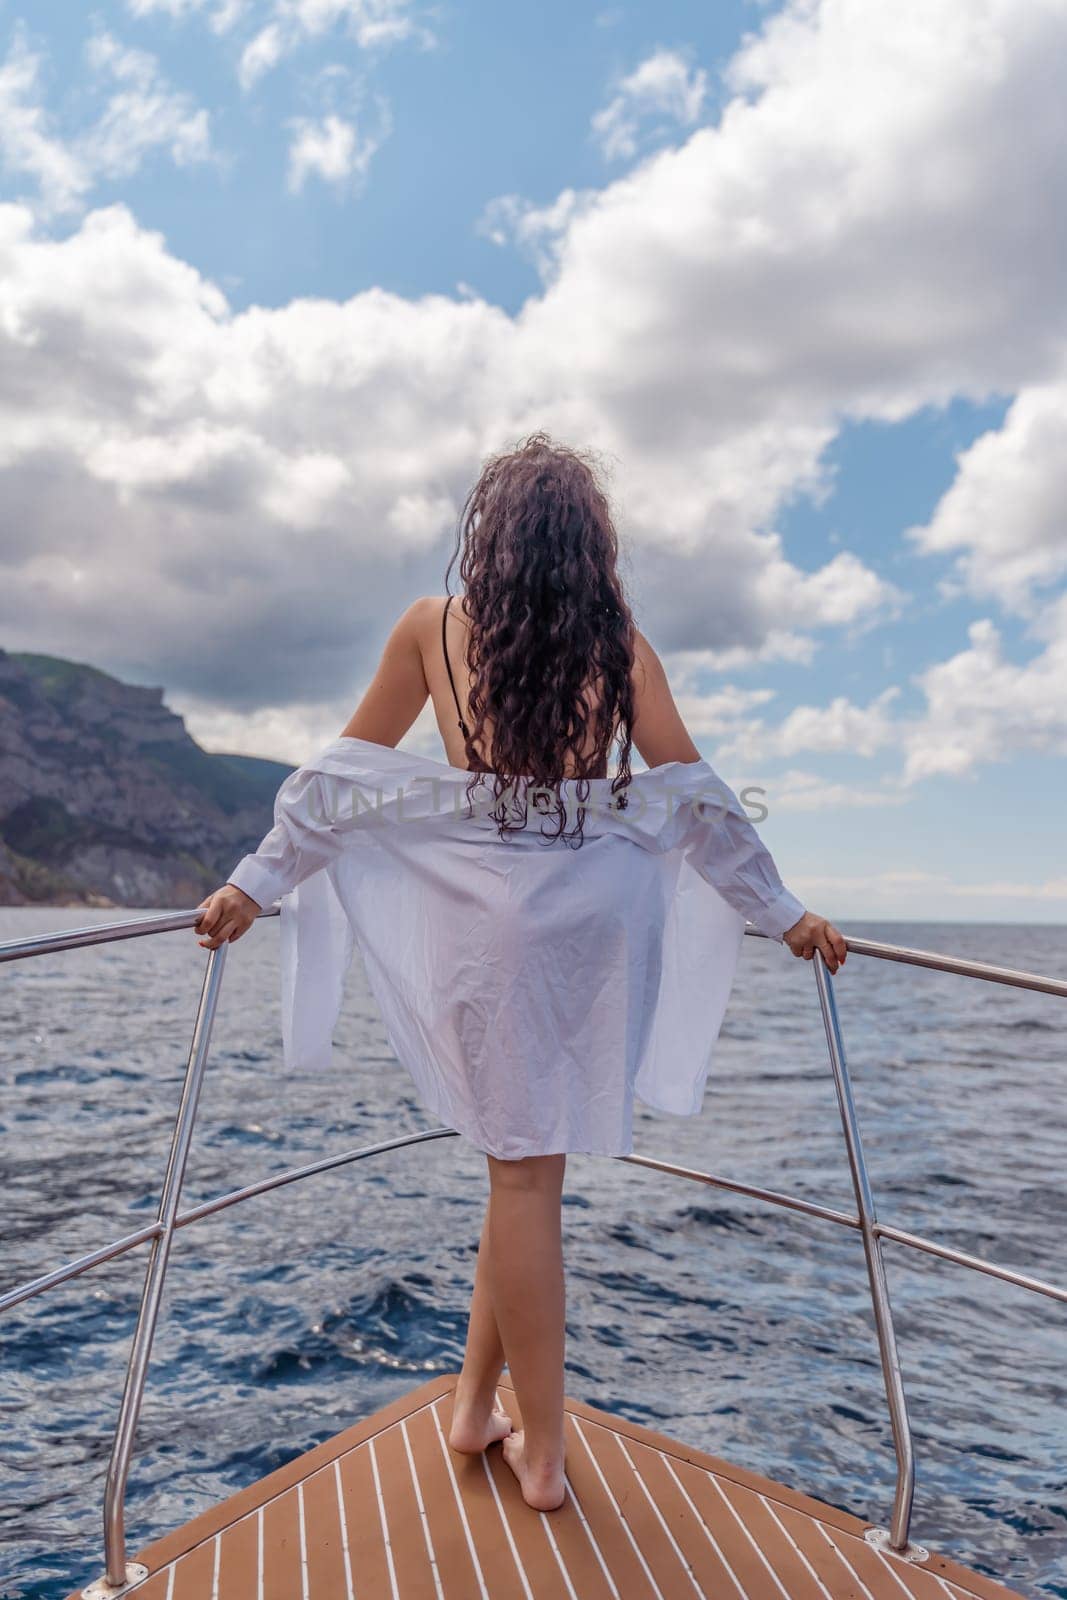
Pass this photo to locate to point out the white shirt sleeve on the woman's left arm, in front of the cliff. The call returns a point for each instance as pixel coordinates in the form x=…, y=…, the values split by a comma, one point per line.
x=308, y=834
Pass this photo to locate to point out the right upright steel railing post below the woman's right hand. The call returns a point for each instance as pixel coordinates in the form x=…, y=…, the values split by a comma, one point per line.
x=897, y=1538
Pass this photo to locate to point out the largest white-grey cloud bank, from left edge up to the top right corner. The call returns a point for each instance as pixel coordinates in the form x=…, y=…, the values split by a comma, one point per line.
x=849, y=241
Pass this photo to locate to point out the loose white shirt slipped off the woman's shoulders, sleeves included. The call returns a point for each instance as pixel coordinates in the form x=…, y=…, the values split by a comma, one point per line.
x=532, y=990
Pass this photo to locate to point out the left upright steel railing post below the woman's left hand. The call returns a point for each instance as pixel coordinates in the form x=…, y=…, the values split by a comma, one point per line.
x=119, y=1574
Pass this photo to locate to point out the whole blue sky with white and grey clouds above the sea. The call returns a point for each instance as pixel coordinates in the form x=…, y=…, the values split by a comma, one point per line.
x=278, y=276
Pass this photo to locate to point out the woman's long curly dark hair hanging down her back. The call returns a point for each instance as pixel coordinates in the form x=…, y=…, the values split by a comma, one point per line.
x=549, y=625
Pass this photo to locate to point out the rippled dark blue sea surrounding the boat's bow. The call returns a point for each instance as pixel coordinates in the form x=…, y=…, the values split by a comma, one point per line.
x=729, y=1324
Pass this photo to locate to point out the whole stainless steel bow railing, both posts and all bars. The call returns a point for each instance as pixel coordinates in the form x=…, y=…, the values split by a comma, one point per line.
x=119, y=1574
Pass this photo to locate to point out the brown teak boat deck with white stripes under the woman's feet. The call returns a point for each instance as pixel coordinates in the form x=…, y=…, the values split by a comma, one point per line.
x=386, y=1511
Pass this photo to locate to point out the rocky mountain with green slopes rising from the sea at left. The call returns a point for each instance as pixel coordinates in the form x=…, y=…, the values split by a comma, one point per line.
x=108, y=801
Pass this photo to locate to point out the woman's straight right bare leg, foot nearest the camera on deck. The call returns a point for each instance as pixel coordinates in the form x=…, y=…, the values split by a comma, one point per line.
x=529, y=1300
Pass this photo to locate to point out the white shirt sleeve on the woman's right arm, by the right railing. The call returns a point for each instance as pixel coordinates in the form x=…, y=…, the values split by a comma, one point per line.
x=725, y=849
